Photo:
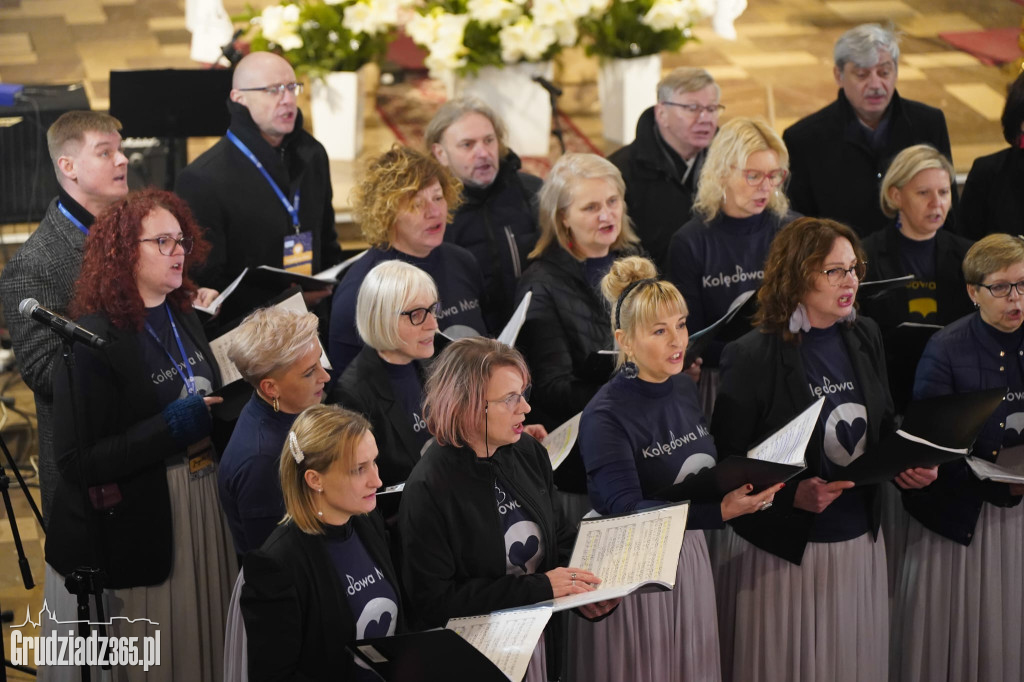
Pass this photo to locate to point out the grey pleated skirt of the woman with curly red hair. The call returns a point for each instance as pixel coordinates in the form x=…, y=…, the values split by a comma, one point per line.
x=191, y=607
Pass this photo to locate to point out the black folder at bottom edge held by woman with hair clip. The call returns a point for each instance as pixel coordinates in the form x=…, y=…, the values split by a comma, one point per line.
x=426, y=657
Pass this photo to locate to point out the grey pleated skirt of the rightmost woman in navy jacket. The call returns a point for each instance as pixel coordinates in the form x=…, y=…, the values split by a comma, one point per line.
x=961, y=610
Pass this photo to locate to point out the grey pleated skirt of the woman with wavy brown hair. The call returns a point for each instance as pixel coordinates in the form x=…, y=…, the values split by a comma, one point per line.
x=825, y=620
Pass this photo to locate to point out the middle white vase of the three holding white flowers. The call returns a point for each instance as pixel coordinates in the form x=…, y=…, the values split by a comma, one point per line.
x=523, y=104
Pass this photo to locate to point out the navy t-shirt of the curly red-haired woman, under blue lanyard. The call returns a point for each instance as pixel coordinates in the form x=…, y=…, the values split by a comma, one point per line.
x=164, y=373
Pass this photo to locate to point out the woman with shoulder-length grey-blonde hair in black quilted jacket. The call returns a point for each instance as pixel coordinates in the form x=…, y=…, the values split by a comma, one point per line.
x=584, y=229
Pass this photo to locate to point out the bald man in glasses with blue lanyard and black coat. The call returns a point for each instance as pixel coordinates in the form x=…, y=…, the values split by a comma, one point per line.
x=264, y=192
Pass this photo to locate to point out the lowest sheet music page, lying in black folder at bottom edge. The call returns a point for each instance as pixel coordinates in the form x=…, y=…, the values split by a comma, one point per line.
x=507, y=638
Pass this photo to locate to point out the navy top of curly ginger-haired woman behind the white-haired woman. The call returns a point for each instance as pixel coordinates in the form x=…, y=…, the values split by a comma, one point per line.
x=460, y=286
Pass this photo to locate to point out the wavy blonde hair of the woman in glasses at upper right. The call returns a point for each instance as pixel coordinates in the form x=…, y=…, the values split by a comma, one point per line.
x=729, y=154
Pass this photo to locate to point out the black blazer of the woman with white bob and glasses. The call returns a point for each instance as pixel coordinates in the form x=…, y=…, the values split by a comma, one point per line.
x=365, y=388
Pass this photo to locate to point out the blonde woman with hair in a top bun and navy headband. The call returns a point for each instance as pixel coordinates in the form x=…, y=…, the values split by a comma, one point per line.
x=644, y=431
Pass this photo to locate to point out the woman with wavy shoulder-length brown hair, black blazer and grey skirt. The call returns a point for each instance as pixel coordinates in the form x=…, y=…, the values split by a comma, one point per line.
x=802, y=595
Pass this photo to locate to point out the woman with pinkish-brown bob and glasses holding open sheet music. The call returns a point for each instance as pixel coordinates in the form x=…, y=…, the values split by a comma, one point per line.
x=479, y=522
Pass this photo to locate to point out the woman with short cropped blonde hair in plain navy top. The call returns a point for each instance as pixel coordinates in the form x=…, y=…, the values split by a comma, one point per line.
x=278, y=353
